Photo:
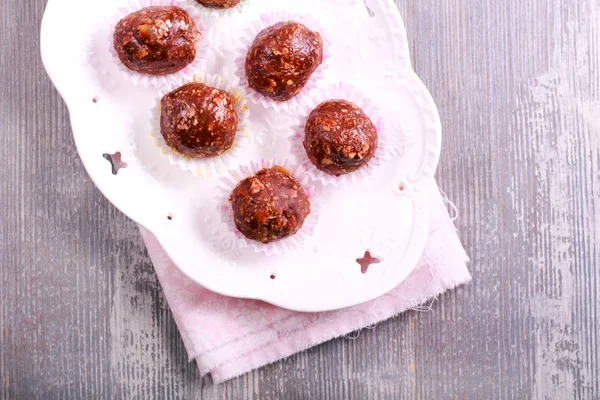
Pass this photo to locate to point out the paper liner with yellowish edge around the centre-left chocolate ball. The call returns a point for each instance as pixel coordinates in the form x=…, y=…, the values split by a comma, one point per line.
x=204, y=166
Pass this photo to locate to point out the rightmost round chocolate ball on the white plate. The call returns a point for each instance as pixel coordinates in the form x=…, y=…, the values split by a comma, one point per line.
x=339, y=137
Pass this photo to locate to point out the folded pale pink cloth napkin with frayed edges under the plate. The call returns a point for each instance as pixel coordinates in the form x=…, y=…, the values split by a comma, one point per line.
x=229, y=337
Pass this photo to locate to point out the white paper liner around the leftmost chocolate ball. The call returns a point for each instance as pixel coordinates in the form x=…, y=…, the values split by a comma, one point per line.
x=147, y=80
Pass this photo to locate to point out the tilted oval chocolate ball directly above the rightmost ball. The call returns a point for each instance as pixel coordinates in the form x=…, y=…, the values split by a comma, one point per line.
x=282, y=59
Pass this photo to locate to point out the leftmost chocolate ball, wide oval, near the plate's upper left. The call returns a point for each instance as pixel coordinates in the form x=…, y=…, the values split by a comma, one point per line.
x=156, y=40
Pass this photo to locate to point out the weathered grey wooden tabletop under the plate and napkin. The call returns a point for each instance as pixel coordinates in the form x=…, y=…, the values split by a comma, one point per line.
x=518, y=87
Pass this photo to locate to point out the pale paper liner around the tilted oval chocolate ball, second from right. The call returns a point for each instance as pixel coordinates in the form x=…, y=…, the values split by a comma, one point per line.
x=246, y=41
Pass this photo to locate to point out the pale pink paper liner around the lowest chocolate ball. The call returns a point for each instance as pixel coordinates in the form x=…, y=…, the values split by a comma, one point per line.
x=227, y=184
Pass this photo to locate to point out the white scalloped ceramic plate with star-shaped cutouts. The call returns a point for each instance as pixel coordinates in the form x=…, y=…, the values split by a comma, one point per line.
x=368, y=51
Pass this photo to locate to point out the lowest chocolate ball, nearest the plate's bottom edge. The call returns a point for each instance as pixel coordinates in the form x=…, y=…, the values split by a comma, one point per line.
x=269, y=206
